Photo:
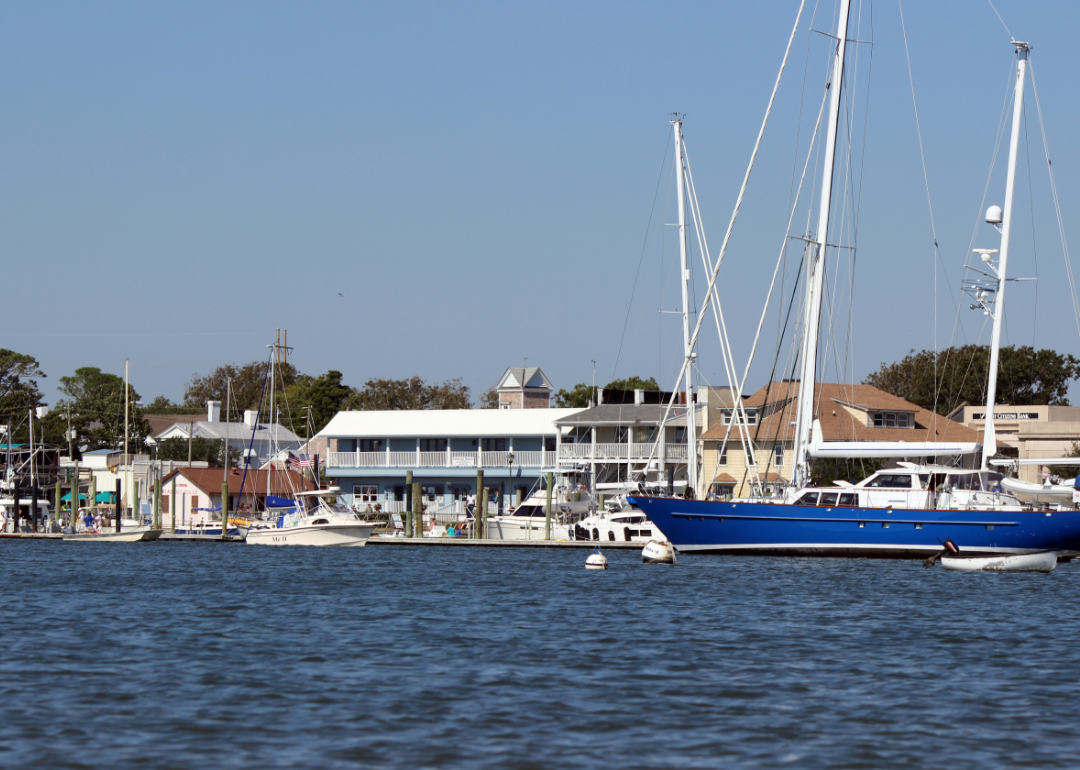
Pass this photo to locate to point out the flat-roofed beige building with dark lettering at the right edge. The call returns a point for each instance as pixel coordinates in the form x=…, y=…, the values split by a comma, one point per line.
x=1028, y=433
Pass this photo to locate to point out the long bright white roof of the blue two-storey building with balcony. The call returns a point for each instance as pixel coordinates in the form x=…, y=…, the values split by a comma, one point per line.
x=444, y=424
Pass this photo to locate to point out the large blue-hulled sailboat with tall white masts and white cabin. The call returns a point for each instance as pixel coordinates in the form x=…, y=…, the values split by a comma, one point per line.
x=901, y=512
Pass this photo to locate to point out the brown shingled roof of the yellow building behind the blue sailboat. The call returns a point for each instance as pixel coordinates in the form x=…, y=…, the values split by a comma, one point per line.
x=839, y=425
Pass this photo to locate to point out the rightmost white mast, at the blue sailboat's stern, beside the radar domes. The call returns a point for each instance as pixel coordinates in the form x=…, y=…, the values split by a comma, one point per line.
x=990, y=440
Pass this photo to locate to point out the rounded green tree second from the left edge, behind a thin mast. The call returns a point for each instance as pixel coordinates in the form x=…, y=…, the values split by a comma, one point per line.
x=97, y=402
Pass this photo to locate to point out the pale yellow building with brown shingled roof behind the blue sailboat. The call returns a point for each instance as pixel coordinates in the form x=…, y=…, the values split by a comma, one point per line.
x=846, y=413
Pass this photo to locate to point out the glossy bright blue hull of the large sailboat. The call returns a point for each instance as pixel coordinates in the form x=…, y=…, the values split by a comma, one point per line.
x=704, y=526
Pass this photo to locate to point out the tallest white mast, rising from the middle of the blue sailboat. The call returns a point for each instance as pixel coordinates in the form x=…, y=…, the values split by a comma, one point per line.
x=816, y=275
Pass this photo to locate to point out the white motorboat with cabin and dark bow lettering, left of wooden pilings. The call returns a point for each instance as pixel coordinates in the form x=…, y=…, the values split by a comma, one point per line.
x=314, y=522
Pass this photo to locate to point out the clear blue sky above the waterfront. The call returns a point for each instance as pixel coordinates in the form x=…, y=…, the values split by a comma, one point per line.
x=447, y=190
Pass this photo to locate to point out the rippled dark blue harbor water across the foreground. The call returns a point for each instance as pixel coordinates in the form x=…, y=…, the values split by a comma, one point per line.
x=226, y=656
